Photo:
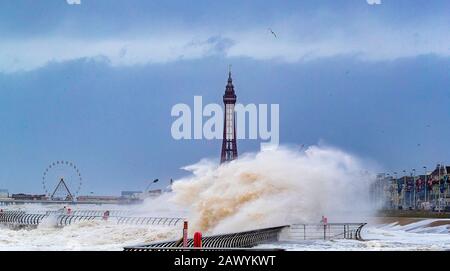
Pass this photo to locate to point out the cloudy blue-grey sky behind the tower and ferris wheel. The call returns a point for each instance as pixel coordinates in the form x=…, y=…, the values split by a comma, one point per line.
x=94, y=82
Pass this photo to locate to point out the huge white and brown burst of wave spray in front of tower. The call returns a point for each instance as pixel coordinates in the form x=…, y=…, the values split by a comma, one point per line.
x=274, y=187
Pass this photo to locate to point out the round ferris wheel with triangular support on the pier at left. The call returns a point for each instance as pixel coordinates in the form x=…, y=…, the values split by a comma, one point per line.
x=62, y=180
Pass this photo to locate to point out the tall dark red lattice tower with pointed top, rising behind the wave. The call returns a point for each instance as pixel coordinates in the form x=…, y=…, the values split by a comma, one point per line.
x=229, y=147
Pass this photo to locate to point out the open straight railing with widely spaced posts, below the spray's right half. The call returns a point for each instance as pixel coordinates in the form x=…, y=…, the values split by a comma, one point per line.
x=325, y=231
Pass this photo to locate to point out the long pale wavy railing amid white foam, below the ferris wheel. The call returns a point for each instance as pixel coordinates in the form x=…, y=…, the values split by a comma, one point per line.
x=21, y=218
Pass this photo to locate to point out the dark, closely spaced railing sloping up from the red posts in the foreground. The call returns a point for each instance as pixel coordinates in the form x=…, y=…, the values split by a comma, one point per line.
x=244, y=239
